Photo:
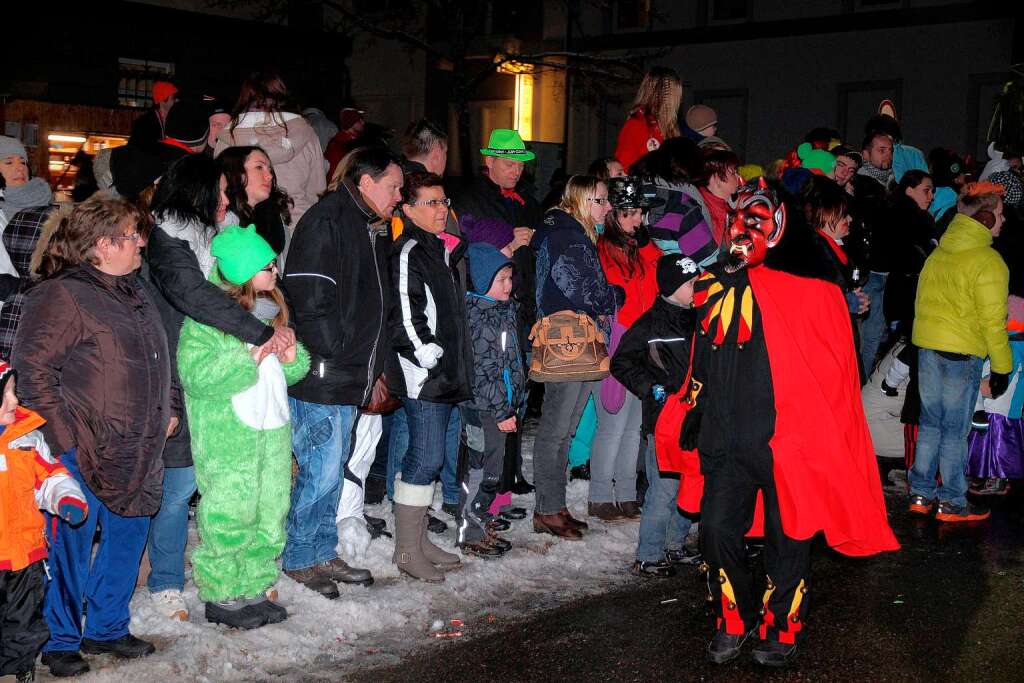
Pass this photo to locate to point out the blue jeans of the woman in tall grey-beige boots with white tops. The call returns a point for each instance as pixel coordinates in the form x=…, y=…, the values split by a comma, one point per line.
x=431, y=425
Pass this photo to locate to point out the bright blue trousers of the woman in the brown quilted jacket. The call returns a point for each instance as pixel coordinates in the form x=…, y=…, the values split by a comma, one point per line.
x=105, y=580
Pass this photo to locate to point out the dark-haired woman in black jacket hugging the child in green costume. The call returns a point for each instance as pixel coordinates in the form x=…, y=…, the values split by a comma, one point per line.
x=189, y=206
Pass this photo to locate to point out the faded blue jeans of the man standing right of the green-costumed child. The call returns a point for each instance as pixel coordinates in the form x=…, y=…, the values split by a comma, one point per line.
x=322, y=441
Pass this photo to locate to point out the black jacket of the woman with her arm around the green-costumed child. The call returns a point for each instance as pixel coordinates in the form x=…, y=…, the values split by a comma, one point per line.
x=184, y=291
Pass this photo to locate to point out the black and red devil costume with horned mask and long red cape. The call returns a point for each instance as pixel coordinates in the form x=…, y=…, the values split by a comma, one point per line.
x=778, y=423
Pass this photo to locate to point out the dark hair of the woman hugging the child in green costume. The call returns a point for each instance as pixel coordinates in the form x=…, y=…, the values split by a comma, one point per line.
x=190, y=191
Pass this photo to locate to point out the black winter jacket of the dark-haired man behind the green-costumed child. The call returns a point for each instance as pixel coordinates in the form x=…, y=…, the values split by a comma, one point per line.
x=336, y=279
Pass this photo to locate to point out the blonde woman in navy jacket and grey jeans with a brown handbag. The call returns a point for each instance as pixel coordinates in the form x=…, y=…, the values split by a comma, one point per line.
x=569, y=278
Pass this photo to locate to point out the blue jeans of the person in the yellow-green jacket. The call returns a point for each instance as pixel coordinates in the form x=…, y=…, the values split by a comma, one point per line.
x=949, y=391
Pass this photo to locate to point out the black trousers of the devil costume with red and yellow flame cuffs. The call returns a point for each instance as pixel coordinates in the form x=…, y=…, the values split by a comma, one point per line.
x=732, y=486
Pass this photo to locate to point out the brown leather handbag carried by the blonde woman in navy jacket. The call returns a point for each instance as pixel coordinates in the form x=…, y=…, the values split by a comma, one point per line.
x=568, y=348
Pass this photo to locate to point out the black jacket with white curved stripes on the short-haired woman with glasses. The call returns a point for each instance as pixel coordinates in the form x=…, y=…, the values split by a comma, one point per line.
x=429, y=308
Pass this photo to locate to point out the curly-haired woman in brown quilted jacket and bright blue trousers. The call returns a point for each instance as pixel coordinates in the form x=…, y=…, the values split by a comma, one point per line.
x=93, y=360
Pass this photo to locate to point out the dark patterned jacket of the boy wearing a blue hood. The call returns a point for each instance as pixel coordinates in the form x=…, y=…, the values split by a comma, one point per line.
x=499, y=373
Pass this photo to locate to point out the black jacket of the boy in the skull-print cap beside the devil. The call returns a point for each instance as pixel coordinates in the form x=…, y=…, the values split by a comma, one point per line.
x=656, y=351
